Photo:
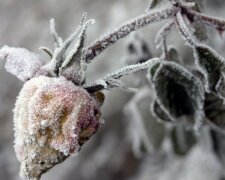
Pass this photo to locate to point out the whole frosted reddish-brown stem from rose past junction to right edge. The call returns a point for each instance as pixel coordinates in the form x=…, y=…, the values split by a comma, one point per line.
x=141, y=21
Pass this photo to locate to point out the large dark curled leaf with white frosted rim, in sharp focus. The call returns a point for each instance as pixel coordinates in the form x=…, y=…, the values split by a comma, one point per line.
x=173, y=84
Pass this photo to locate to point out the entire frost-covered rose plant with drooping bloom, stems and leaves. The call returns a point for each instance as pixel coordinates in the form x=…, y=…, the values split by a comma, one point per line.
x=56, y=111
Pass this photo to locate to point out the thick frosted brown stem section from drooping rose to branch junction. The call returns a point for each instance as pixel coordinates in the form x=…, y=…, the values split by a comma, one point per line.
x=107, y=40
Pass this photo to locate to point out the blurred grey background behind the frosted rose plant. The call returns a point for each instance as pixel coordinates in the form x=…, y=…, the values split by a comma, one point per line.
x=107, y=156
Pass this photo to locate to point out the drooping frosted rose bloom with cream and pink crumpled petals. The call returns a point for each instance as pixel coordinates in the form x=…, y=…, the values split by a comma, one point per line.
x=52, y=119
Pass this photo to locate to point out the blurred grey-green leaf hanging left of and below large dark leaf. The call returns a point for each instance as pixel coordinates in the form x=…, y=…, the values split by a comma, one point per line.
x=144, y=132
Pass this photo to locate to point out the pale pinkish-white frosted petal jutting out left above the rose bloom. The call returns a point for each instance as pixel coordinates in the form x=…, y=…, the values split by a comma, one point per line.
x=21, y=62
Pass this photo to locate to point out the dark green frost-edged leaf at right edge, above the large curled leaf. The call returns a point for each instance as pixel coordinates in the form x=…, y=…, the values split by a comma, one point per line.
x=211, y=64
